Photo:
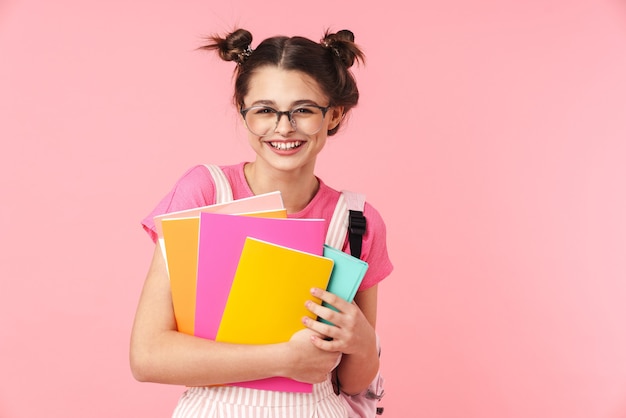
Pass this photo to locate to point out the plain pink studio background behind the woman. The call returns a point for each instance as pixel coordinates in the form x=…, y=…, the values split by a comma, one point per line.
x=502, y=125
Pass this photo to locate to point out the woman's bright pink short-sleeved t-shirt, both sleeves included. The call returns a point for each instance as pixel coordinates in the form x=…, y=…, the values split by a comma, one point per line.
x=196, y=188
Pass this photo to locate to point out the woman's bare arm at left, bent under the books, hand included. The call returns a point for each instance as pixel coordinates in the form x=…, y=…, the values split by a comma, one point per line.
x=159, y=353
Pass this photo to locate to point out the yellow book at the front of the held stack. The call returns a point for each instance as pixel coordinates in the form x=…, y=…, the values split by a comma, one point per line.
x=266, y=300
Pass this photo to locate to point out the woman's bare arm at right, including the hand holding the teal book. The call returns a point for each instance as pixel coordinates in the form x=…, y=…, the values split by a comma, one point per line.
x=353, y=334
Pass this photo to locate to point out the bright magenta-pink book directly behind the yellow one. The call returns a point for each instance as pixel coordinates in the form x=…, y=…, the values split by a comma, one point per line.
x=221, y=241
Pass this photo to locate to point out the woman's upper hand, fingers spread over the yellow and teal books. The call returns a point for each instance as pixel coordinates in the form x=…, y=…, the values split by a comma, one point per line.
x=351, y=332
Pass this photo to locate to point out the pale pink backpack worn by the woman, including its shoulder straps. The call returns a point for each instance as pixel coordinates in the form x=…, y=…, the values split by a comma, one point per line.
x=347, y=219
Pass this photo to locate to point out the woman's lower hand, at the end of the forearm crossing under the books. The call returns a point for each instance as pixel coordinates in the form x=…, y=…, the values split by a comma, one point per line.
x=310, y=364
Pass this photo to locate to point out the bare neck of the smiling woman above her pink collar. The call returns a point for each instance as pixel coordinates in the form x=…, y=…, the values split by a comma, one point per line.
x=297, y=189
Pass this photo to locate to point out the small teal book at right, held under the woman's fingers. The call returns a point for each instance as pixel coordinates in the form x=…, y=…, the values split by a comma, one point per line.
x=346, y=277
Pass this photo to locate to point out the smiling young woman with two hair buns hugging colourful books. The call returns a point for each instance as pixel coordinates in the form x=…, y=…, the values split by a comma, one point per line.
x=292, y=93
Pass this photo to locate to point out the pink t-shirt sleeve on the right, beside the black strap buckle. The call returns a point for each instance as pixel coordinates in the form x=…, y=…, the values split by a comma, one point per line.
x=375, y=249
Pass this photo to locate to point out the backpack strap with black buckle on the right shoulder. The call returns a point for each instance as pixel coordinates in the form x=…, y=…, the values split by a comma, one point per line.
x=348, y=218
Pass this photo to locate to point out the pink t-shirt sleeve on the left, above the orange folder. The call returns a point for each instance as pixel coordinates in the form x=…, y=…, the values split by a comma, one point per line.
x=194, y=189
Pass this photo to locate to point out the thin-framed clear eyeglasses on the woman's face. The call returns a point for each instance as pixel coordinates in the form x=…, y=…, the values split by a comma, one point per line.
x=263, y=120
